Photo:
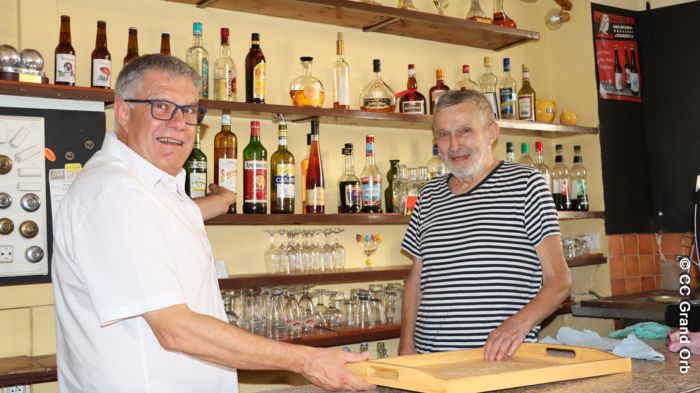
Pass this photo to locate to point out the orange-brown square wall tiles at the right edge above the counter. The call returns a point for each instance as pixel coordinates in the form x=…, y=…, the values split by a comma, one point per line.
x=635, y=260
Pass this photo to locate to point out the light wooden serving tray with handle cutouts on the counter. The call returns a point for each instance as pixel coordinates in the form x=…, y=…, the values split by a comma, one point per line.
x=467, y=371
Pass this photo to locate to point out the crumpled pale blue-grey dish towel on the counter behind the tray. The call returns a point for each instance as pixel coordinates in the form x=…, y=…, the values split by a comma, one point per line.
x=630, y=347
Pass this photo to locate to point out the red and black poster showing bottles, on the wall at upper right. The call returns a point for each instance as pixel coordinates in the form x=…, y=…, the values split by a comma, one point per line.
x=617, y=57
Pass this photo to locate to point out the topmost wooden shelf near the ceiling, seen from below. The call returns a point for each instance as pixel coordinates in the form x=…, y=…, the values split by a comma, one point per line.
x=381, y=19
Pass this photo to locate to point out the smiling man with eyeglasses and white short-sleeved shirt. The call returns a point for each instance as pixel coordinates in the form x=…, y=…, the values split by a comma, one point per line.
x=137, y=300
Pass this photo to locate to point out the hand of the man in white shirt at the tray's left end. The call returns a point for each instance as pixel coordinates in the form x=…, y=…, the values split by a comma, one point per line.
x=327, y=368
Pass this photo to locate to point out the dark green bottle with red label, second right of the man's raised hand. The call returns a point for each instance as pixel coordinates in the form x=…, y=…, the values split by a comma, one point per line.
x=254, y=173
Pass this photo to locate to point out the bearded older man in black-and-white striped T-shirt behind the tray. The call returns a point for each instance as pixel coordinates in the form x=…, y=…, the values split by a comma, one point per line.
x=487, y=260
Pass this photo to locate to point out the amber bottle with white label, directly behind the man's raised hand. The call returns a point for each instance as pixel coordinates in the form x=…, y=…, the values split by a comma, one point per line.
x=225, y=158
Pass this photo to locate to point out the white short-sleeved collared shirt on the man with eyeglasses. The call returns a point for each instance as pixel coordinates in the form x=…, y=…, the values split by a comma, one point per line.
x=128, y=240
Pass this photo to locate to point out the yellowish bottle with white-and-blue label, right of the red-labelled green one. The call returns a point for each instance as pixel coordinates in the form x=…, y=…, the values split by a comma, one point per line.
x=282, y=175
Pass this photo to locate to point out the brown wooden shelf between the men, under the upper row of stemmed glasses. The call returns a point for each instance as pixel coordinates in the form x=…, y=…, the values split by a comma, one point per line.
x=380, y=273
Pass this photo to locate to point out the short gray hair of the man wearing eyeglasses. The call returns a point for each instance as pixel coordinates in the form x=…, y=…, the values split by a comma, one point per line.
x=130, y=79
